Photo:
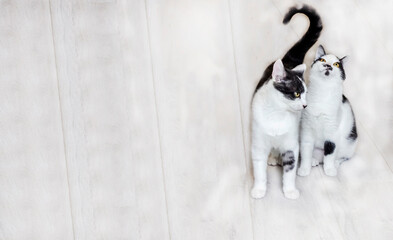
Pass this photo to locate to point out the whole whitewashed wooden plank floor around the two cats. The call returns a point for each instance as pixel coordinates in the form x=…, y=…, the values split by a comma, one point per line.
x=131, y=120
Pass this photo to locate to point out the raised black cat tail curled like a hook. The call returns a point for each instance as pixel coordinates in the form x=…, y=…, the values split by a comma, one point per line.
x=296, y=54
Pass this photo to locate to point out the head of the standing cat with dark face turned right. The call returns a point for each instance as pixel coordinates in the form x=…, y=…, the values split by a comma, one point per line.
x=290, y=85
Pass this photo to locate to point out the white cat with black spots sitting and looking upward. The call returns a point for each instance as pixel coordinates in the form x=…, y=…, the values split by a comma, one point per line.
x=328, y=127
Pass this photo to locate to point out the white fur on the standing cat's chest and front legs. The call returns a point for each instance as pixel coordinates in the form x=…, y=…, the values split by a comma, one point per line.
x=275, y=126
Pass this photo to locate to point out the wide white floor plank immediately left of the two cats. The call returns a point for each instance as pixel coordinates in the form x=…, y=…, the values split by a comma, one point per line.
x=200, y=125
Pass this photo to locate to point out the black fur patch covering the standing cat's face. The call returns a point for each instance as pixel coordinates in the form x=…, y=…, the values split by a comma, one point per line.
x=290, y=85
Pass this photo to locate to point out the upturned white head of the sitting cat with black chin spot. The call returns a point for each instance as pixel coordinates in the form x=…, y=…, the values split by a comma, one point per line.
x=328, y=66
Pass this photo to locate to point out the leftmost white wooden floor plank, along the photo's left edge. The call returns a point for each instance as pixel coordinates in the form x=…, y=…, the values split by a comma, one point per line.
x=34, y=201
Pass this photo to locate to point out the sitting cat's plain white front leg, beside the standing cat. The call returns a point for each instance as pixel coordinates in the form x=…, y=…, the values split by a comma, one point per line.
x=306, y=151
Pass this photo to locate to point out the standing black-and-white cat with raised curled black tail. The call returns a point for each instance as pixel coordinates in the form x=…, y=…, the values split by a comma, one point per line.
x=276, y=109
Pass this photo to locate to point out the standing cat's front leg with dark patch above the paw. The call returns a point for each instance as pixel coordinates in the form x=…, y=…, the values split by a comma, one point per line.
x=289, y=165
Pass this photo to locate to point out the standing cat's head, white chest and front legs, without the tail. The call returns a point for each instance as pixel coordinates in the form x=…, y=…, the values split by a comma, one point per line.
x=276, y=111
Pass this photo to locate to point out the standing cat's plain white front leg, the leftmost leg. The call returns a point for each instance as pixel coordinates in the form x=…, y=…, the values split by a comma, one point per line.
x=260, y=152
